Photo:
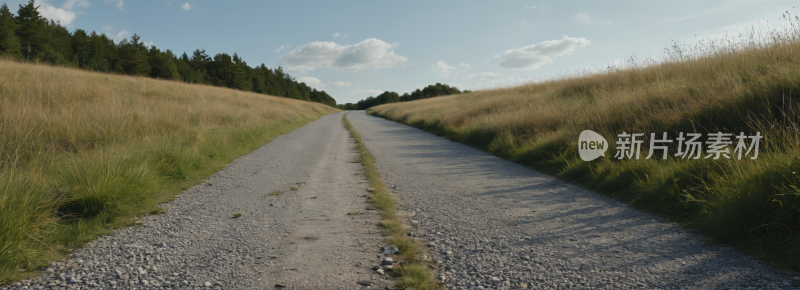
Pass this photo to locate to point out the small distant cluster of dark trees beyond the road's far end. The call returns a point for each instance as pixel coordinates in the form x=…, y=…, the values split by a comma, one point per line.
x=392, y=97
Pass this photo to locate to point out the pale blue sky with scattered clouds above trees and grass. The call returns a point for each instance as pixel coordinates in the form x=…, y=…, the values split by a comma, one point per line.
x=357, y=49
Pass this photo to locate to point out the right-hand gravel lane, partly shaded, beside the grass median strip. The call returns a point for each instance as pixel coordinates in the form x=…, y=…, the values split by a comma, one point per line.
x=495, y=224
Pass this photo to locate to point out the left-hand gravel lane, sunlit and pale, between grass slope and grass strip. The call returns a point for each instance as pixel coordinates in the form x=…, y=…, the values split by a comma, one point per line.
x=301, y=239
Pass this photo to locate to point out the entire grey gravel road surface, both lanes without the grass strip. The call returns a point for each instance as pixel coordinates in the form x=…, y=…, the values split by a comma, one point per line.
x=489, y=224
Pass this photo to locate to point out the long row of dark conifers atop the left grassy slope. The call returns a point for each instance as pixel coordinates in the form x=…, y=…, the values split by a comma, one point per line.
x=30, y=37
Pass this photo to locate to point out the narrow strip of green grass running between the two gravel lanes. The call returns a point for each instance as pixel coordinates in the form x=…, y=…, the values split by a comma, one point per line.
x=411, y=271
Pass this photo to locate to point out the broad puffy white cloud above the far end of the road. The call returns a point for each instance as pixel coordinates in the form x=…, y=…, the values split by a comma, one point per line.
x=368, y=54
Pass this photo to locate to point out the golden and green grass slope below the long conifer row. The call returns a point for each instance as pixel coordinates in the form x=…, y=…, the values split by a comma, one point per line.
x=81, y=152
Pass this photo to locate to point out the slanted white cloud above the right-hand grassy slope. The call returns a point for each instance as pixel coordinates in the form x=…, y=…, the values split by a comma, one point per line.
x=533, y=56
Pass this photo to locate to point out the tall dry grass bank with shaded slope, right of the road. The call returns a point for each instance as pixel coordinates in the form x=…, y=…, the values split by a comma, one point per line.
x=750, y=84
